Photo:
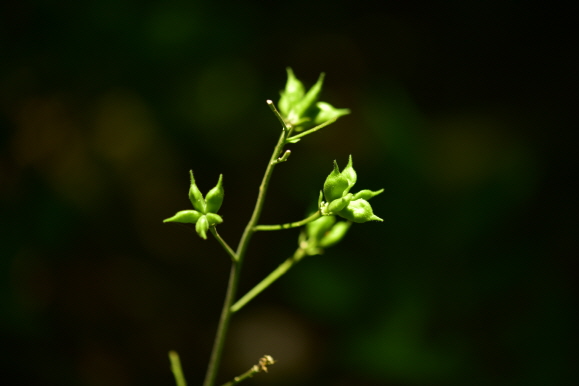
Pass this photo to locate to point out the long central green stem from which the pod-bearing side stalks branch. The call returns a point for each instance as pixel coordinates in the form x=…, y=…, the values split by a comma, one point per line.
x=226, y=313
